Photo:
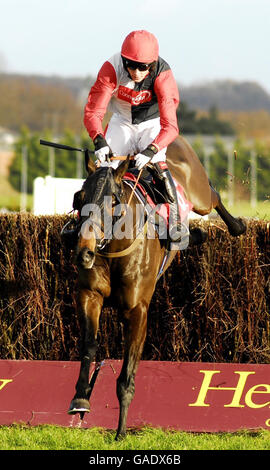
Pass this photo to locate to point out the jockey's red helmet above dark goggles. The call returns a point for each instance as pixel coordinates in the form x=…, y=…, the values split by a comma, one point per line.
x=140, y=46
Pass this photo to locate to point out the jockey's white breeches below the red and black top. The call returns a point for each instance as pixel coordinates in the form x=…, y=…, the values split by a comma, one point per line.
x=125, y=138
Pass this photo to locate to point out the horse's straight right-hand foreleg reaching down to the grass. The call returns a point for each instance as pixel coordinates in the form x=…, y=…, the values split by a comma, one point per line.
x=135, y=332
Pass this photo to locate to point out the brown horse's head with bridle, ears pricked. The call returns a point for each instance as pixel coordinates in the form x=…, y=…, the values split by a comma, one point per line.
x=101, y=191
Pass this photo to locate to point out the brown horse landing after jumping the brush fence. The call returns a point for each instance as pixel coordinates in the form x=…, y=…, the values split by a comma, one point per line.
x=127, y=271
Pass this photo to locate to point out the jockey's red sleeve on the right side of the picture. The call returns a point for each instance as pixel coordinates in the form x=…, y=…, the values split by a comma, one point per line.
x=168, y=99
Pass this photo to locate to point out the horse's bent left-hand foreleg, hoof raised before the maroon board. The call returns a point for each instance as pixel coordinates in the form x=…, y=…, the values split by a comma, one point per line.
x=89, y=304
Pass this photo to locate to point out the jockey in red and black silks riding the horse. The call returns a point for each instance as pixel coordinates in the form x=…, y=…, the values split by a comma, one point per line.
x=138, y=88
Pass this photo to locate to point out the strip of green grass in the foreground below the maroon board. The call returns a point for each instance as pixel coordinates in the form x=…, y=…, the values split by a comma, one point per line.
x=48, y=437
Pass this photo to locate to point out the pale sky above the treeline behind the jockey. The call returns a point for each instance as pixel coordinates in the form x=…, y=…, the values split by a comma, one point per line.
x=202, y=40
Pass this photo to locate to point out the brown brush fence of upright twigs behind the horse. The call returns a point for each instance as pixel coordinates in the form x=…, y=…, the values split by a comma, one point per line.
x=212, y=305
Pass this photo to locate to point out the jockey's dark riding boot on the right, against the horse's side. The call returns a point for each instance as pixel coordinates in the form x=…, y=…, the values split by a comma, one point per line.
x=175, y=225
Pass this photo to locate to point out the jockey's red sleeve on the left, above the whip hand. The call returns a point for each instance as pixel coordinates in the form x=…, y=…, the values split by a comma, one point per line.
x=98, y=99
